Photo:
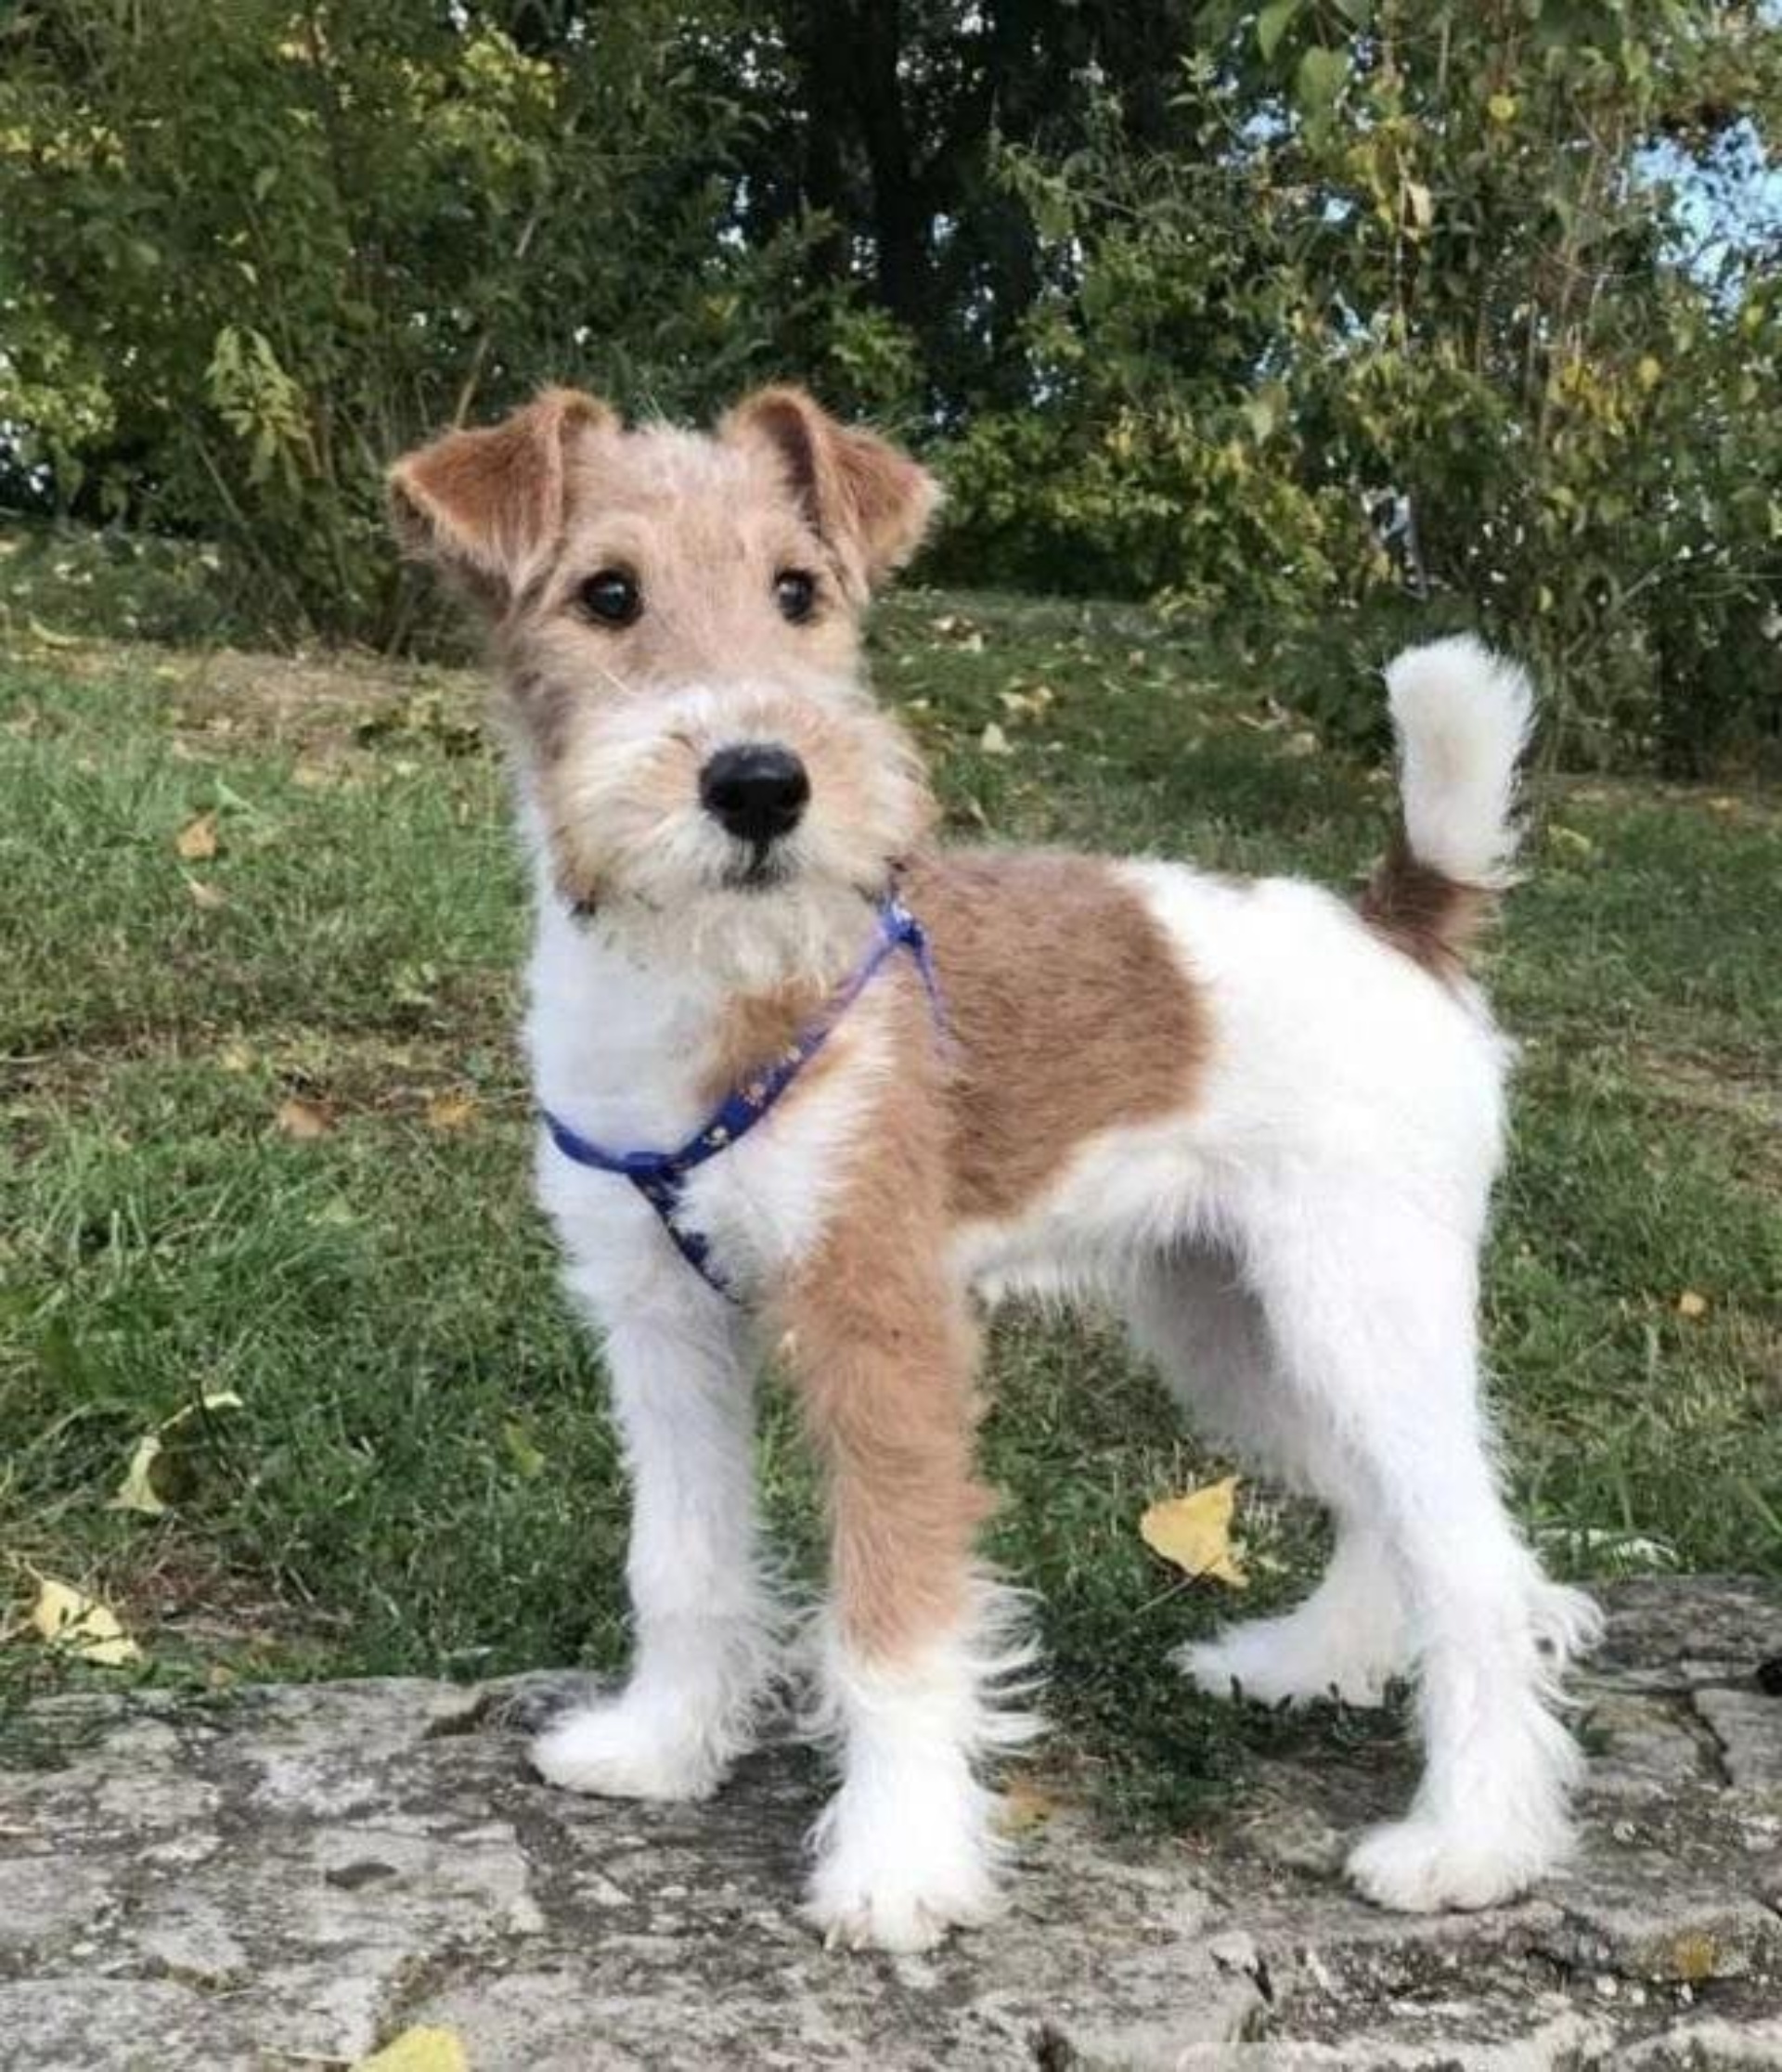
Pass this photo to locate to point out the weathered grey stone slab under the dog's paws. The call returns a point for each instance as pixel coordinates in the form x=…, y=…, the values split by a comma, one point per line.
x=291, y=1876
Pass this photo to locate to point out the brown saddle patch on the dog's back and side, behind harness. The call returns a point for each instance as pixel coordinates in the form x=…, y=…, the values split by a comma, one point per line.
x=1068, y=1012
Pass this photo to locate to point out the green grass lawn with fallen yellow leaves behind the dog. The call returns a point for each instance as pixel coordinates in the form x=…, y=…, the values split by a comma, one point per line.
x=266, y=1132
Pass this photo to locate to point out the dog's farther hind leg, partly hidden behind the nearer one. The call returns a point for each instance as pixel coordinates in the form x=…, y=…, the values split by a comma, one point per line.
x=1207, y=1335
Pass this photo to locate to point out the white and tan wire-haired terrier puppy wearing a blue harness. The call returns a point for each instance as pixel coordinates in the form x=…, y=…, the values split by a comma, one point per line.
x=811, y=1083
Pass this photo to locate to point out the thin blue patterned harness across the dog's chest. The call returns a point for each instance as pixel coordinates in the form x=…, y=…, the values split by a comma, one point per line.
x=662, y=1178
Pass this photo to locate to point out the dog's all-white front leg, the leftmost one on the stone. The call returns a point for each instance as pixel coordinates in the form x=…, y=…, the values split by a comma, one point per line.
x=681, y=1379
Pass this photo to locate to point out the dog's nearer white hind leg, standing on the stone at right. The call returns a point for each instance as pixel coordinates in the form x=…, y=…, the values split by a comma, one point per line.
x=1371, y=1308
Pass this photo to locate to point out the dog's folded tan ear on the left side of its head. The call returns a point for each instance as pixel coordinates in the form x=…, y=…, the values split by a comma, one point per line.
x=490, y=507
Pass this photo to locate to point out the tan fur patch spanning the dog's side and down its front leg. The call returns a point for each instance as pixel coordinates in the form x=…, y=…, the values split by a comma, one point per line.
x=1068, y=1016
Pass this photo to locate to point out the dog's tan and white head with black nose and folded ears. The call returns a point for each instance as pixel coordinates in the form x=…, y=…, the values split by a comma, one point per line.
x=679, y=621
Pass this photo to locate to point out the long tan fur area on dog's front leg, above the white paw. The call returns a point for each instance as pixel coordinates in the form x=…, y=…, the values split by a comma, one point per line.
x=882, y=1352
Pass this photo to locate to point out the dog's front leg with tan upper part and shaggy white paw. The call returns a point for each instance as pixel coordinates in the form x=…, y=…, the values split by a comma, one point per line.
x=884, y=1364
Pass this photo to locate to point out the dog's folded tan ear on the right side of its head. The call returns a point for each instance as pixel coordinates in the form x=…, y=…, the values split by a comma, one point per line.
x=867, y=500
